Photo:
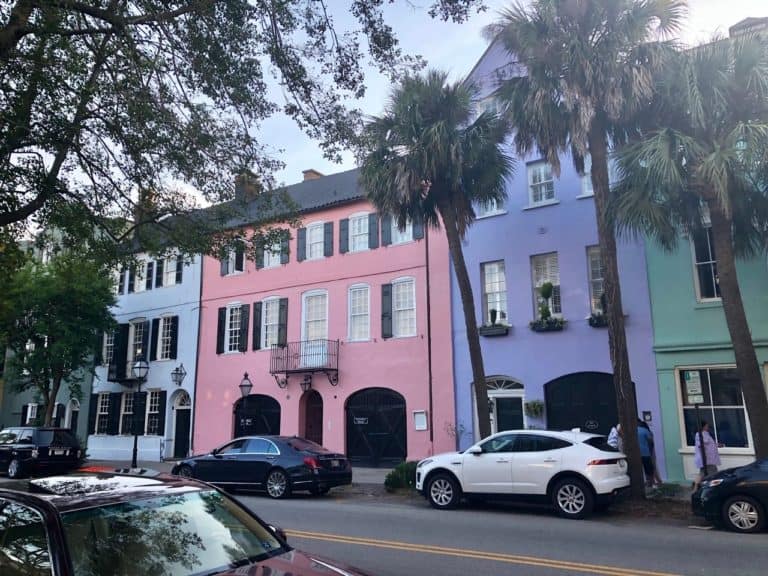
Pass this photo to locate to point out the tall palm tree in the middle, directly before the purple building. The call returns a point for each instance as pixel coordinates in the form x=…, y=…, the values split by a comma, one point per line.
x=587, y=66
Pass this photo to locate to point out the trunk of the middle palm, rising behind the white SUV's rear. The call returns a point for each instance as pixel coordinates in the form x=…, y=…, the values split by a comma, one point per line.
x=617, y=338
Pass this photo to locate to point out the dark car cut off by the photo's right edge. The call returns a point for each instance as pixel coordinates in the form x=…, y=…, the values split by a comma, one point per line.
x=736, y=498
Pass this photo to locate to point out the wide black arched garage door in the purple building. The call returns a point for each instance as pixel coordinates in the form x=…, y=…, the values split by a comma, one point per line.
x=585, y=400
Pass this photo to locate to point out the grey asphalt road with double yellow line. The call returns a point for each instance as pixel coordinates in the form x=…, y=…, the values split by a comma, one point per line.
x=392, y=537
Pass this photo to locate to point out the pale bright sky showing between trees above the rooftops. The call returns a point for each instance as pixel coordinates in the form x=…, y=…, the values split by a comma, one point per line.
x=456, y=48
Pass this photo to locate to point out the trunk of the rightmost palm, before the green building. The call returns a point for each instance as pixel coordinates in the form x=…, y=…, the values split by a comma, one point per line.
x=747, y=366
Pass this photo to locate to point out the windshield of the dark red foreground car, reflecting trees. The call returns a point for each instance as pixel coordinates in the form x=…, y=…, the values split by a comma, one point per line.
x=190, y=533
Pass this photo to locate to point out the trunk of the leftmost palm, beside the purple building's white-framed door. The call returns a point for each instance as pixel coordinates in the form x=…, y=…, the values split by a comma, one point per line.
x=470, y=321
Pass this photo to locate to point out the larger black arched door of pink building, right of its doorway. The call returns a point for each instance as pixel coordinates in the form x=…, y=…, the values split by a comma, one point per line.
x=376, y=427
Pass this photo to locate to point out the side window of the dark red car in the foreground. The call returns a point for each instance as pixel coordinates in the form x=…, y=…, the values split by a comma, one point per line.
x=23, y=541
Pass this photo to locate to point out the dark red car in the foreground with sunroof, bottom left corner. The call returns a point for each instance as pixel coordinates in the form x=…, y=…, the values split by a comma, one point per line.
x=121, y=525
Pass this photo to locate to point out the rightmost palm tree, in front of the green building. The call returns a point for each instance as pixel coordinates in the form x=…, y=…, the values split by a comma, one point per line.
x=701, y=163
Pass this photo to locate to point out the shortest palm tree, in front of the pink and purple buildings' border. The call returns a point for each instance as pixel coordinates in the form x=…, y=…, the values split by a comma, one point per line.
x=427, y=158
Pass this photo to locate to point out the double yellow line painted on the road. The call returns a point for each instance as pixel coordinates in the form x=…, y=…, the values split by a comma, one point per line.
x=476, y=554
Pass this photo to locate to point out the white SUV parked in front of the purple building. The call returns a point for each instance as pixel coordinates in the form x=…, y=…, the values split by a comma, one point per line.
x=574, y=471
